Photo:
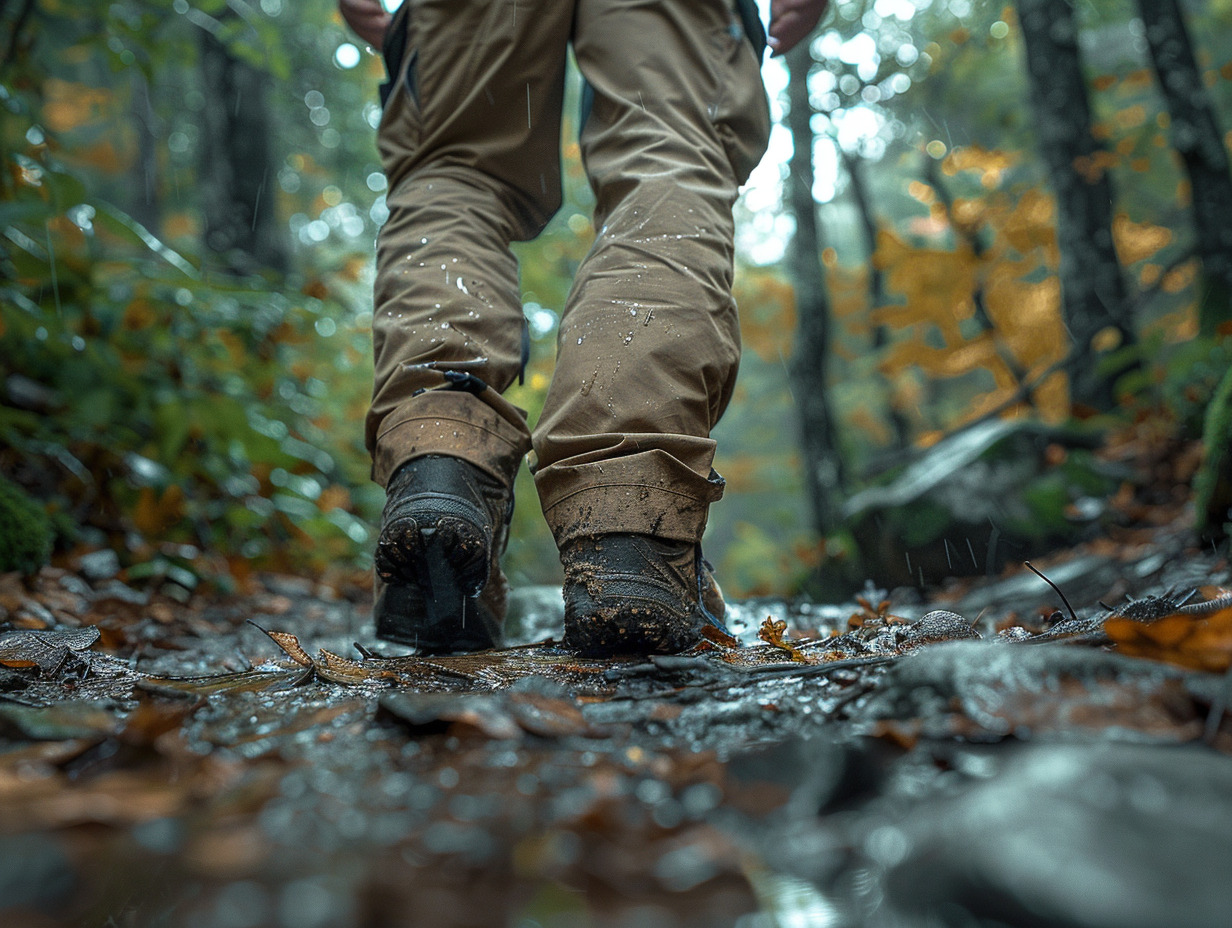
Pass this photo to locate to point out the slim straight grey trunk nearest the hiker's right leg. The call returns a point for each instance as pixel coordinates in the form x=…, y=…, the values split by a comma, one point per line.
x=822, y=463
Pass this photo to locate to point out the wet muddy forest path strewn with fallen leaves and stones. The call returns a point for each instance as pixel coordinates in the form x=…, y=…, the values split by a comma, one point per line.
x=974, y=757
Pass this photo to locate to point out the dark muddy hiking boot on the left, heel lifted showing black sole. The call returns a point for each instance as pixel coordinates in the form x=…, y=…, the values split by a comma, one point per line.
x=444, y=528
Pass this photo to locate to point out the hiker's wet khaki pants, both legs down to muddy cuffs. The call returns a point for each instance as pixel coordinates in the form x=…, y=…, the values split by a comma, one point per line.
x=649, y=340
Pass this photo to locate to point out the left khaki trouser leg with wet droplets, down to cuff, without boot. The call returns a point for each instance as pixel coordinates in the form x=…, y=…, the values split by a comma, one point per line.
x=470, y=144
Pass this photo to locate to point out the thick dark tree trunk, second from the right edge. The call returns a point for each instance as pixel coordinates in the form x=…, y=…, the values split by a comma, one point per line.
x=1093, y=290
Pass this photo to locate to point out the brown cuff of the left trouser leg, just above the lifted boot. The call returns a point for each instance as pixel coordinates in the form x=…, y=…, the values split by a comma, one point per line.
x=486, y=431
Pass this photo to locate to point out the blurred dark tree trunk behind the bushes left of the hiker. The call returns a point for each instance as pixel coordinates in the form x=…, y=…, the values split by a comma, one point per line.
x=237, y=163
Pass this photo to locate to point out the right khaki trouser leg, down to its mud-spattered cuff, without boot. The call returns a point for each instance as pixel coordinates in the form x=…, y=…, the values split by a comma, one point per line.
x=650, y=340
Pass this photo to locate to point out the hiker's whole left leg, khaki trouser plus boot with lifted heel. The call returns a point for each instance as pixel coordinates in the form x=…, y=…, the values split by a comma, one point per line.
x=470, y=142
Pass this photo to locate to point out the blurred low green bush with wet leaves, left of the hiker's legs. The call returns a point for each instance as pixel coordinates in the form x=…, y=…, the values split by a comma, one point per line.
x=188, y=400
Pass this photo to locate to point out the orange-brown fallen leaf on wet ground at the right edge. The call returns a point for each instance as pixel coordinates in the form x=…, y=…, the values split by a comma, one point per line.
x=1201, y=643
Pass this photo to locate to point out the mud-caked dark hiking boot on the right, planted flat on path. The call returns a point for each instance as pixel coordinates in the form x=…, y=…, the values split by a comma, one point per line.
x=636, y=595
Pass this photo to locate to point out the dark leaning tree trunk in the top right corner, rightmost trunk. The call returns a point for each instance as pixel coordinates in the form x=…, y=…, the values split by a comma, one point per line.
x=1198, y=140
